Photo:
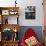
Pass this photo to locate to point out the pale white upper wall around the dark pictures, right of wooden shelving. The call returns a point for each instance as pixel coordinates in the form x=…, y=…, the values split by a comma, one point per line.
x=39, y=13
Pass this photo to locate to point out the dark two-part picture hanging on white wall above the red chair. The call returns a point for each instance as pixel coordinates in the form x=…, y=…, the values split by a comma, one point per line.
x=30, y=12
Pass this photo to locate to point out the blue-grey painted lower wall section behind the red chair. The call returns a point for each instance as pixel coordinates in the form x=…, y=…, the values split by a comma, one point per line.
x=37, y=29
